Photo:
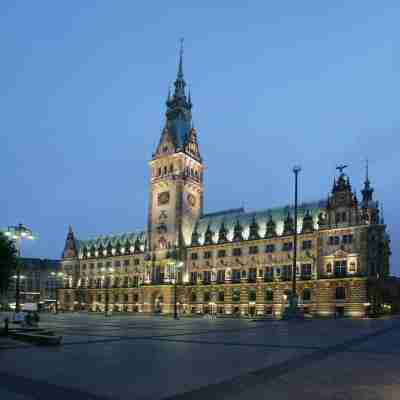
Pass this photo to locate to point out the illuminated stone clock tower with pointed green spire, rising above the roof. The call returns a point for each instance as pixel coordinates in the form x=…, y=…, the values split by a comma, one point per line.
x=176, y=175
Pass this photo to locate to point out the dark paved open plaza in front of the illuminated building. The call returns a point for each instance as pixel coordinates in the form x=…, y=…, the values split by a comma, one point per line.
x=139, y=357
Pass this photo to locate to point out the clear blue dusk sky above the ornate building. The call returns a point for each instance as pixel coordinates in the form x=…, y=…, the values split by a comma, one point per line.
x=83, y=89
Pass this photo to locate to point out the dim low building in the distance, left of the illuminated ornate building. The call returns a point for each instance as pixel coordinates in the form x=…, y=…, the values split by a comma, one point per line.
x=38, y=282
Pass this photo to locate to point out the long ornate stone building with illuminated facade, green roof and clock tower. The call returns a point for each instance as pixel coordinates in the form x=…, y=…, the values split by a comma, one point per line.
x=229, y=262
